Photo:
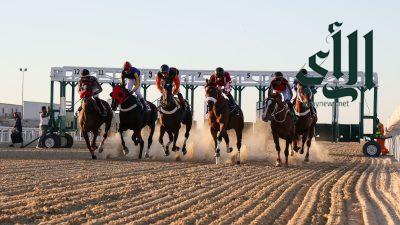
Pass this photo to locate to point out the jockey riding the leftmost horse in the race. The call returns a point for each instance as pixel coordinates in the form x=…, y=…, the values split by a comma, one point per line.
x=89, y=86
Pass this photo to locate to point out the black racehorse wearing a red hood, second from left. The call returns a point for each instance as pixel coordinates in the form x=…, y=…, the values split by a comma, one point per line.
x=132, y=117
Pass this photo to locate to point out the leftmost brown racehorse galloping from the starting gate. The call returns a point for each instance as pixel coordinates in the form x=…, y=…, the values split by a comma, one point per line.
x=90, y=120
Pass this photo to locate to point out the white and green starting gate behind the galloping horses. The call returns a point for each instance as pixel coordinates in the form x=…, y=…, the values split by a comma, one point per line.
x=63, y=122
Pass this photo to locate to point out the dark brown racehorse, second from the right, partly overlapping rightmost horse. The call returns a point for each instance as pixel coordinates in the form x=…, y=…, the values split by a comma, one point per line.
x=282, y=124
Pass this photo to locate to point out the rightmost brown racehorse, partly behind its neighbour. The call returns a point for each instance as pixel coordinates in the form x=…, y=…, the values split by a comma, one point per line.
x=306, y=121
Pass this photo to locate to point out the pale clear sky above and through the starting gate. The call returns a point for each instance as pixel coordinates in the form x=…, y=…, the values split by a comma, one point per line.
x=237, y=35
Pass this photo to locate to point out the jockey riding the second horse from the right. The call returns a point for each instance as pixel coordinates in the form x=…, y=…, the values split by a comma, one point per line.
x=281, y=86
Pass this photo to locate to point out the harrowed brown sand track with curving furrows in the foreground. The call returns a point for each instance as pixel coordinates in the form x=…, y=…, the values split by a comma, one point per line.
x=65, y=187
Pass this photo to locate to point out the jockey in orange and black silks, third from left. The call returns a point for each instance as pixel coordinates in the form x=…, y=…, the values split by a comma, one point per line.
x=172, y=74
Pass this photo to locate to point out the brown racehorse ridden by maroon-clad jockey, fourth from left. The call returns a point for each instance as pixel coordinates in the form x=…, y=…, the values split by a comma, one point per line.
x=221, y=120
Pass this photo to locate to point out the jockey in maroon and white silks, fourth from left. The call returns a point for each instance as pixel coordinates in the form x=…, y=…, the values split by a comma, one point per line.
x=224, y=82
